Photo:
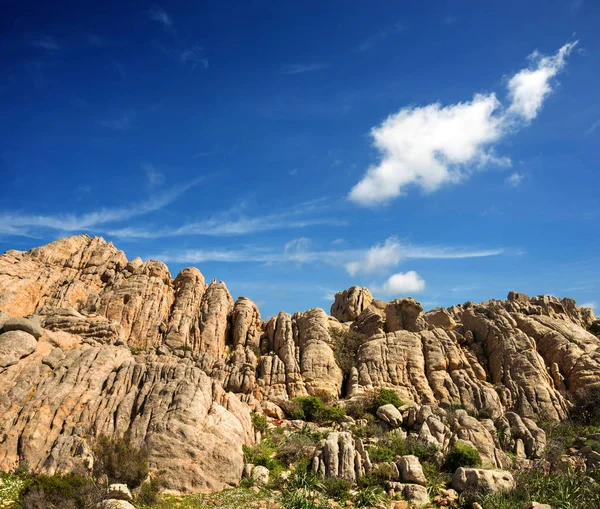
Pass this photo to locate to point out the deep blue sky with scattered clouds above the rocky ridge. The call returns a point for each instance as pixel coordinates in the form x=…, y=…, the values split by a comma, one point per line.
x=448, y=151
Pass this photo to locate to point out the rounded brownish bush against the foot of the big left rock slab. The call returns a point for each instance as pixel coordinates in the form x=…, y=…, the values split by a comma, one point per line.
x=120, y=461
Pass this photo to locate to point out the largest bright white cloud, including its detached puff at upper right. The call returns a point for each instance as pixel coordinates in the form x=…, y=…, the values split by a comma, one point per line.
x=434, y=145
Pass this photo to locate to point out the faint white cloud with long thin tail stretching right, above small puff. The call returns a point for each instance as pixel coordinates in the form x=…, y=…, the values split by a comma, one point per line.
x=389, y=254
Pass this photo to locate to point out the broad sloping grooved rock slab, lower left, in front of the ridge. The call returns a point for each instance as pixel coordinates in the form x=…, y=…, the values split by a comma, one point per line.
x=53, y=404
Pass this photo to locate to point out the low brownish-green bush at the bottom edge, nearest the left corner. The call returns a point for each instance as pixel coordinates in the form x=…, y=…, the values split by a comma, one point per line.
x=64, y=491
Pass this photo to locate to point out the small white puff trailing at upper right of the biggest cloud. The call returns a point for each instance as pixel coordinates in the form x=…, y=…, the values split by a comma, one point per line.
x=529, y=87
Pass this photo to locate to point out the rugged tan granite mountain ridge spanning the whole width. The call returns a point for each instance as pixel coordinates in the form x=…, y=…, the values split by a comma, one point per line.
x=91, y=343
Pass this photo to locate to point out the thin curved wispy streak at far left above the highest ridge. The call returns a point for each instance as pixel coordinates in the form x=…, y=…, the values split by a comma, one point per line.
x=26, y=224
